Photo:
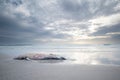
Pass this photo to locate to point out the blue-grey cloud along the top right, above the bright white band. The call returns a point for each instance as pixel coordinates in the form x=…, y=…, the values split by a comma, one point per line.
x=86, y=9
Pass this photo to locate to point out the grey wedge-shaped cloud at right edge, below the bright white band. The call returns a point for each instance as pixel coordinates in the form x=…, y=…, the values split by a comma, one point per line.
x=103, y=31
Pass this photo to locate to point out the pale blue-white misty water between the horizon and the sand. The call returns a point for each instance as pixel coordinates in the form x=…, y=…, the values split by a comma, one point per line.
x=82, y=54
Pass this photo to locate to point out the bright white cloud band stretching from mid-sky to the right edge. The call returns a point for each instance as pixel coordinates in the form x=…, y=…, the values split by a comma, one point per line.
x=79, y=30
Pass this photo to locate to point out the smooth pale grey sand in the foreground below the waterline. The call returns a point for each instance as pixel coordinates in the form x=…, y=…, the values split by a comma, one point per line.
x=31, y=70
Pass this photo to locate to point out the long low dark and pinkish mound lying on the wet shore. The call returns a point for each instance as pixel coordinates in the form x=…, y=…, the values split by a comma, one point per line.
x=40, y=57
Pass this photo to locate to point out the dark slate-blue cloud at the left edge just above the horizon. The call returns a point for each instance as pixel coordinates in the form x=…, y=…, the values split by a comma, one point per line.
x=11, y=32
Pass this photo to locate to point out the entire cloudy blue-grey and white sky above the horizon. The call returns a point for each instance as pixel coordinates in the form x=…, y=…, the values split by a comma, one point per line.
x=27, y=22
